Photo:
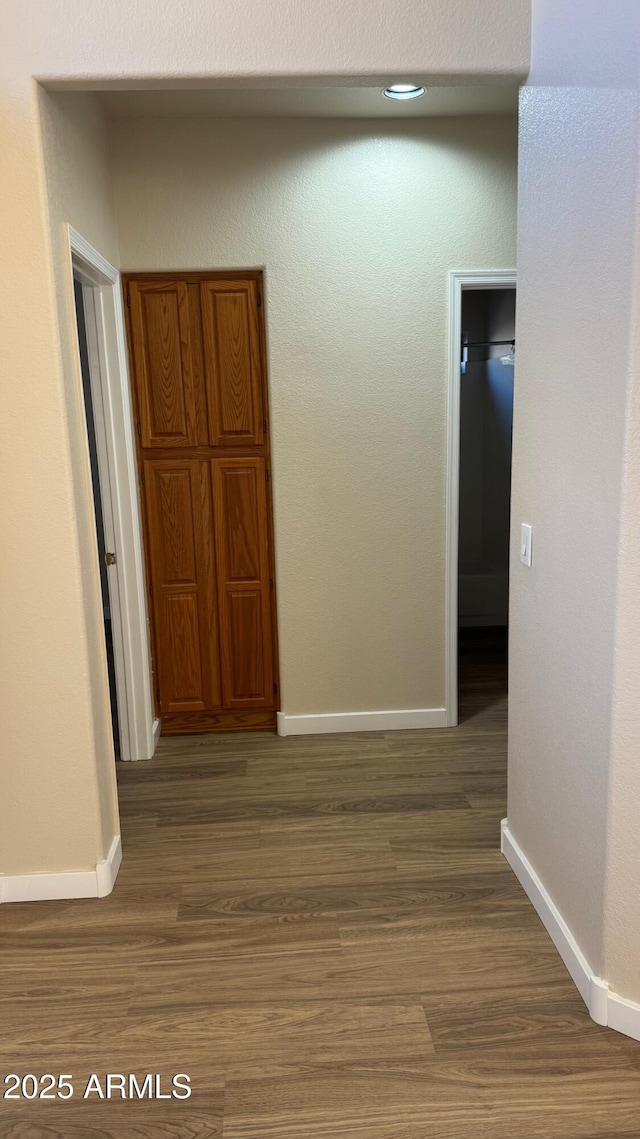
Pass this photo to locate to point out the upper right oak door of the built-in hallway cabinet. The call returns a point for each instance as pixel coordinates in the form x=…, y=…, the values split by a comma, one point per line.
x=233, y=363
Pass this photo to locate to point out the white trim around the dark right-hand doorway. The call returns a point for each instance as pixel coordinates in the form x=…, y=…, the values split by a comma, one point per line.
x=458, y=282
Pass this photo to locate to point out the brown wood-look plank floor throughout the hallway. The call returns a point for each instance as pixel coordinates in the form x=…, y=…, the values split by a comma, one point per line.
x=323, y=933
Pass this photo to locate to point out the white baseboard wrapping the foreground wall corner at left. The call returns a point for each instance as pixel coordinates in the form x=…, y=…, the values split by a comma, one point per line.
x=44, y=888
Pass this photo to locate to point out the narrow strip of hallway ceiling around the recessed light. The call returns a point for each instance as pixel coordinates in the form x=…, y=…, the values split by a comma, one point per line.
x=311, y=103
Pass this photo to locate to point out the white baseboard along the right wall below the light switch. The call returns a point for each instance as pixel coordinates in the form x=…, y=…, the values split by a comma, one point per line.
x=604, y=1006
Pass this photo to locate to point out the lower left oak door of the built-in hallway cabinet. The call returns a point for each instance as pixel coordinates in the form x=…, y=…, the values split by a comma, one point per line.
x=182, y=554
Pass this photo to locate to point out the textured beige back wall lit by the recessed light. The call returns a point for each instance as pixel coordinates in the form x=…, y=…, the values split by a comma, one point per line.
x=357, y=226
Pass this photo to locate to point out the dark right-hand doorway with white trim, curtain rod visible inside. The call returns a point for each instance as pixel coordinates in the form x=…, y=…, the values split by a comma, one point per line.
x=482, y=370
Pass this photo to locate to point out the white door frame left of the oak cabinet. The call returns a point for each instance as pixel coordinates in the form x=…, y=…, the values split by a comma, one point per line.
x=113, y=417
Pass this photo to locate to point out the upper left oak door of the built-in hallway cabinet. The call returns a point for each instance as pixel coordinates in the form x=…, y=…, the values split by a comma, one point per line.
x=162, y=364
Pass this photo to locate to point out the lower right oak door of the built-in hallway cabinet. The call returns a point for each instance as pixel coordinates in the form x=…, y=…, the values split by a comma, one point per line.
x=240, y=494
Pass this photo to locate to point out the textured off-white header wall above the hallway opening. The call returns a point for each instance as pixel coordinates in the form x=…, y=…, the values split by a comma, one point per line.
x=233, y=42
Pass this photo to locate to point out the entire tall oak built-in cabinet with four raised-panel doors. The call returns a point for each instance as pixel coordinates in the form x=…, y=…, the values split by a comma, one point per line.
x=199, y=375
